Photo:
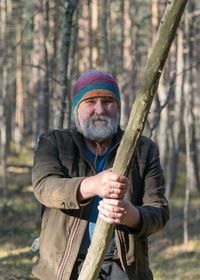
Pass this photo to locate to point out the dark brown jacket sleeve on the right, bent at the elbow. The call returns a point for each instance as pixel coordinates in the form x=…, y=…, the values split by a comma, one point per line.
x=154, y=210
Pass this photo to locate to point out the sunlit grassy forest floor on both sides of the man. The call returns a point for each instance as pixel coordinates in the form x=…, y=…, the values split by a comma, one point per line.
x=170, y=259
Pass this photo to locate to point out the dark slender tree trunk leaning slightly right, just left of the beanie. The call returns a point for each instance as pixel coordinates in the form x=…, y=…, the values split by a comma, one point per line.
x=63, y=90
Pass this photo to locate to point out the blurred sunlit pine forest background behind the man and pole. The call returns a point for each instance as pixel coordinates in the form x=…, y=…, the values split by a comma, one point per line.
x=45, y=46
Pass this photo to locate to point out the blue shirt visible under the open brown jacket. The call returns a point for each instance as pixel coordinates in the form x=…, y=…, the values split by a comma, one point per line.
x=100, y=166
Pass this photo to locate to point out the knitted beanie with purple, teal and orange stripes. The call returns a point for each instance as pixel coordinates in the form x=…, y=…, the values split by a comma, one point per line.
x=94, y=83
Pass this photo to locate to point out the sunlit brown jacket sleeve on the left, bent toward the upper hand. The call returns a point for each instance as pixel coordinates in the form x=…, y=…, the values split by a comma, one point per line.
x=51, y=183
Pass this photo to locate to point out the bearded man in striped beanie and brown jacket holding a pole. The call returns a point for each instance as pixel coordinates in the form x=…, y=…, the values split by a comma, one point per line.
x=72, y=178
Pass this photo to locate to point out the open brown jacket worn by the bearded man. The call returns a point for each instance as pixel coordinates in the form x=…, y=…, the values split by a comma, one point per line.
x=61, y=163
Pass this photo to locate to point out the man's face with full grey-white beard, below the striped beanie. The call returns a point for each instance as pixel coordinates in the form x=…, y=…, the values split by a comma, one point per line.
x=98, y=118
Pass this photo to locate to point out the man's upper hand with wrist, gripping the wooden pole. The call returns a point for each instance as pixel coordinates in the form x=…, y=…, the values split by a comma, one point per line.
x=105, y=184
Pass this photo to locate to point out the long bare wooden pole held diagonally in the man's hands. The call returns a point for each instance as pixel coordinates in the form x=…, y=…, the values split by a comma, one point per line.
x=167, y=30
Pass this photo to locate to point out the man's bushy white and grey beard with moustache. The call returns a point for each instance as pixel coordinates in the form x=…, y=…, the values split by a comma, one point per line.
x=100, y=130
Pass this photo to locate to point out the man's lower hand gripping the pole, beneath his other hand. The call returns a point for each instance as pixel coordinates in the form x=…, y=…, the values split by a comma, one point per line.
x=115, y=211
